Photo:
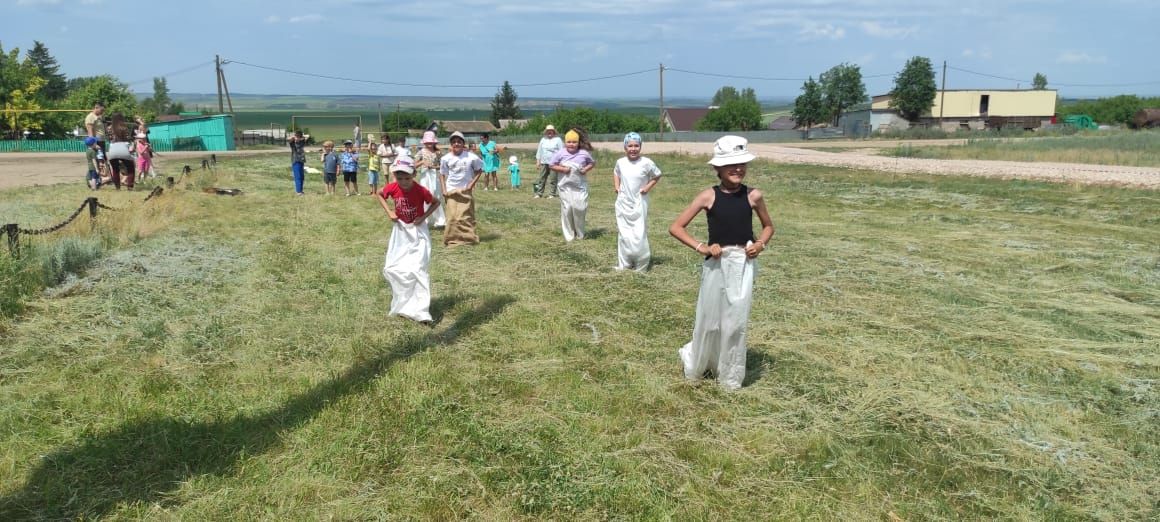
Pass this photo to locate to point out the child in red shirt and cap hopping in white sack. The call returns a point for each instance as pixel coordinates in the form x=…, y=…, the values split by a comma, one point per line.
x=410, y=249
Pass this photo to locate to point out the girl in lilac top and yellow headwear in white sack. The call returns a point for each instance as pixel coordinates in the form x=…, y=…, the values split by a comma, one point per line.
x=574, y=165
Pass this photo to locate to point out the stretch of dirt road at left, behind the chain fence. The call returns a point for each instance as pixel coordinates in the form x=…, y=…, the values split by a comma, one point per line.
x=32, y=169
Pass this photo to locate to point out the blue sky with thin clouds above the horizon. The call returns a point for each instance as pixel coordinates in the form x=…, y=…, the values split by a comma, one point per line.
x=1085, y=48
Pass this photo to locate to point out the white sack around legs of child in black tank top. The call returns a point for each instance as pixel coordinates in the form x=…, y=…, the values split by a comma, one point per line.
x=723, y=315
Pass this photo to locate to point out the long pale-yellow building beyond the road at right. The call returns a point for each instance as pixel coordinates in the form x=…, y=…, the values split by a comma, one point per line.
x=984, y=108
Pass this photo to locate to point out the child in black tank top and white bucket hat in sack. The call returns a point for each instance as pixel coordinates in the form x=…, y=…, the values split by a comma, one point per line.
x=730, y=266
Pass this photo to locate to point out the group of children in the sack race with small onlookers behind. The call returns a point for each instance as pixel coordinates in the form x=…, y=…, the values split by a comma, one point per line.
x=719, y=345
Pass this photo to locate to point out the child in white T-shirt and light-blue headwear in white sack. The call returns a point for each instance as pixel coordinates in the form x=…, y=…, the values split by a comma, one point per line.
x=633, y=179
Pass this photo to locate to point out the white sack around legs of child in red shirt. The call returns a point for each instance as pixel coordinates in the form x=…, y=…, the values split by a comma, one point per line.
x=408, y=258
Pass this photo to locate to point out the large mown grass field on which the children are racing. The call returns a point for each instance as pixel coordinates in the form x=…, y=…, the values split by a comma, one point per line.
x=923, y=349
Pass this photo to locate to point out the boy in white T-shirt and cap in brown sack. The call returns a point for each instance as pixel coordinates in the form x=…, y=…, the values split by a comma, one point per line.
x=460, y=171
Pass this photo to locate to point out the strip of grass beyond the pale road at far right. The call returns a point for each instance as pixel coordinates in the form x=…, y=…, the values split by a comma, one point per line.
x=1134, y=149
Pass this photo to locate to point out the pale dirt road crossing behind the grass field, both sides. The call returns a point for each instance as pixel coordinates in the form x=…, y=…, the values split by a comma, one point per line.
x=20, y=170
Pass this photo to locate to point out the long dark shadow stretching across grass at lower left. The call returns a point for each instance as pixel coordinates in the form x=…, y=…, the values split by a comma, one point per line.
x=146, y=461
